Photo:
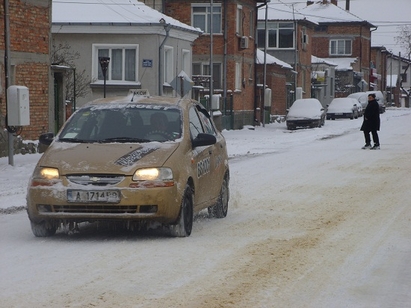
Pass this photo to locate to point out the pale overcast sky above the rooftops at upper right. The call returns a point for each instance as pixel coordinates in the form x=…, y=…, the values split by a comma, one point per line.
x=387, y=15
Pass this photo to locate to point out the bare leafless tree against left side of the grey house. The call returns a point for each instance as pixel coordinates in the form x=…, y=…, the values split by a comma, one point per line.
x=62, y=54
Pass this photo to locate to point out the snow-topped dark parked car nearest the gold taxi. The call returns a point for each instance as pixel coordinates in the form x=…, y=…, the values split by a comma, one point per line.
x=305, y=112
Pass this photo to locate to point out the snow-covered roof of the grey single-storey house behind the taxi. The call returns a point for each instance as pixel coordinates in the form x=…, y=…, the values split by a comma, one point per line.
x=103, y=12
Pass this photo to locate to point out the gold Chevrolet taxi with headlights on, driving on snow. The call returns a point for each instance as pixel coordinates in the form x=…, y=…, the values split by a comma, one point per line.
x=138, y=159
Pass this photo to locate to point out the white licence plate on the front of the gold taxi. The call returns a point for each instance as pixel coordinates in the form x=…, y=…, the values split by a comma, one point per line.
x=108, y=196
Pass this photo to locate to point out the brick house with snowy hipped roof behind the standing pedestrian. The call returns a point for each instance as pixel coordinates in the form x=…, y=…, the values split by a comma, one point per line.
x=345, y=38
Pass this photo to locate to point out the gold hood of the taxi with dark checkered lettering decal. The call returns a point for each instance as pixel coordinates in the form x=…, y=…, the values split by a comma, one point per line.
x=121, y=158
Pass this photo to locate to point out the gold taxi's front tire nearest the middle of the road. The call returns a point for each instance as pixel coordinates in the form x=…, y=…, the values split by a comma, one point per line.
x=185, y=220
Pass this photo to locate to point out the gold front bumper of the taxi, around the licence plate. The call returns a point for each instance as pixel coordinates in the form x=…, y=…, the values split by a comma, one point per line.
x=50, y=203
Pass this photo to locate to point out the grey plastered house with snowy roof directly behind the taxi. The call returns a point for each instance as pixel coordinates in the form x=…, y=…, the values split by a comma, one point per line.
x=146, y=49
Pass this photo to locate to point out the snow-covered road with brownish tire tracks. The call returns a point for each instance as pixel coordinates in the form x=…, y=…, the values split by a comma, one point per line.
x=313, y=222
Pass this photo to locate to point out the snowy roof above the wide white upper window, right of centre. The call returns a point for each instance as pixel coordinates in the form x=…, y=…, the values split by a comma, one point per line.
x=280, y=11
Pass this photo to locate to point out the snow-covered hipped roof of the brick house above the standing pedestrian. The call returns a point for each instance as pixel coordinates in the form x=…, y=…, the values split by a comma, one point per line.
x=329, y=13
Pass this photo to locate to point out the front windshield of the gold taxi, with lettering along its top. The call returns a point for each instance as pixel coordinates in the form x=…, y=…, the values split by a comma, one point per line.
x=139, y=123
